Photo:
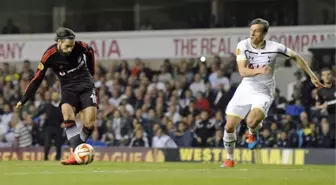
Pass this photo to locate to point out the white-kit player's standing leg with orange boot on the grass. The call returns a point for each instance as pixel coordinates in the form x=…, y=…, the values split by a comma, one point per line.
x=230, y=138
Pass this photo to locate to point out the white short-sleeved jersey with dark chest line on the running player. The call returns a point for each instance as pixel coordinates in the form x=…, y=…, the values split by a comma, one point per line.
x=258, y=58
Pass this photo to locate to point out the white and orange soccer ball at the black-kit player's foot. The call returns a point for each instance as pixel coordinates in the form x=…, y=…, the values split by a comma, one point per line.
x=84, y=153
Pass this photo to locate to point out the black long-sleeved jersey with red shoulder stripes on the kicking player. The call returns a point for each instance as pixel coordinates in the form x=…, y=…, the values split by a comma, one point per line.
x=74, y=71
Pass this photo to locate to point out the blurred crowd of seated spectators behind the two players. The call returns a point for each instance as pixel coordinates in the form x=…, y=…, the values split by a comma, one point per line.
x=179, y=105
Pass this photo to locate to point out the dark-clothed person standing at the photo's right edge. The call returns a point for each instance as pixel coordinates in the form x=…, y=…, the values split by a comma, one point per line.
x=326, y=100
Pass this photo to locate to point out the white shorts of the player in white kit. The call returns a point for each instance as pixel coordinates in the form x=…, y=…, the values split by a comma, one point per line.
x=245, y=100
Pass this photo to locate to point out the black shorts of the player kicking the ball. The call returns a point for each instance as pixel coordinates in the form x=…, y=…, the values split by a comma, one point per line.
x=80, y=99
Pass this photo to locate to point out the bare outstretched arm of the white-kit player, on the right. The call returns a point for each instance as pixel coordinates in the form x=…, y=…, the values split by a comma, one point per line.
x=304, y=66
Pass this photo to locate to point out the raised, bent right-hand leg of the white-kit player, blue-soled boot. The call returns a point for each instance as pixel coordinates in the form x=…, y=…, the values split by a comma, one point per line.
x=254, y=123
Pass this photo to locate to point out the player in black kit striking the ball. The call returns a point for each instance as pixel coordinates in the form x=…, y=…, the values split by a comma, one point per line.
x=73, y=63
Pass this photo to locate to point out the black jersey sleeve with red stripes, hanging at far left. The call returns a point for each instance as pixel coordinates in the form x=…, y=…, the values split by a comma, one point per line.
x=35, y=83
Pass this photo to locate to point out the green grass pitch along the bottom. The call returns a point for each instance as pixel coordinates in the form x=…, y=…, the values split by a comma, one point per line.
x=179, y=173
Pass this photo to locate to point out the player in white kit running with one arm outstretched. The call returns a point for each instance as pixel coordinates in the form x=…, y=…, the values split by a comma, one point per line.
x=256, y=60
